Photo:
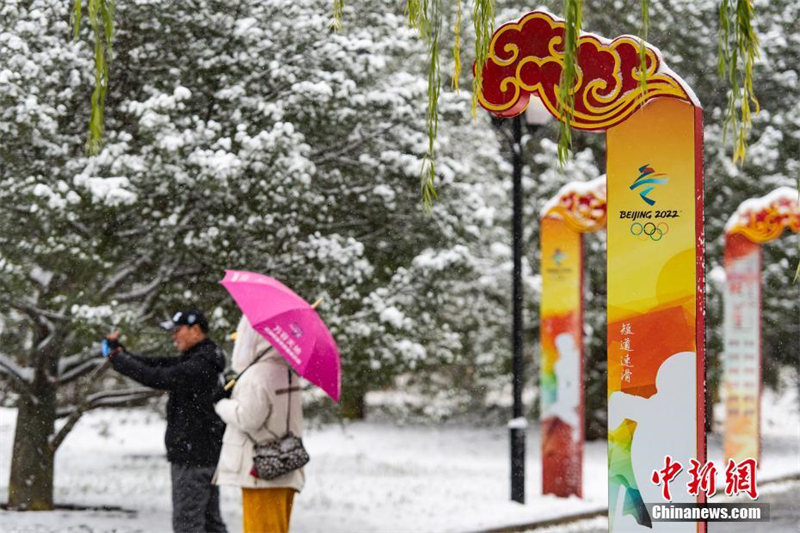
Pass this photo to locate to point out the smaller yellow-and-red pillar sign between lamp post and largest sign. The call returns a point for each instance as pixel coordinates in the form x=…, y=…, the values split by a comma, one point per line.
x=578, y=208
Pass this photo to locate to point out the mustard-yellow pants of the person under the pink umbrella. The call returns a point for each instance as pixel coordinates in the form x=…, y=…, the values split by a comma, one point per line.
x=267, y=510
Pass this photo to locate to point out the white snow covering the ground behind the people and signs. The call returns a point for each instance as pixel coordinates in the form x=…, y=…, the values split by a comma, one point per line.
x=363, y=476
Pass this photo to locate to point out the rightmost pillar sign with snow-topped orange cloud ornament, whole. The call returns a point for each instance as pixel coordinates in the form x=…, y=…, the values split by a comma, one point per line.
x=755, y=222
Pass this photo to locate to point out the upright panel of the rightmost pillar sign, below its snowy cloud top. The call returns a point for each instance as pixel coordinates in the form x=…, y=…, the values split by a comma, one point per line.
x=742, y=360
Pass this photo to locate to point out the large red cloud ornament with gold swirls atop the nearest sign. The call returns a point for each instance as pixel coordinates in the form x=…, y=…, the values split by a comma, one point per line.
x=526, y=58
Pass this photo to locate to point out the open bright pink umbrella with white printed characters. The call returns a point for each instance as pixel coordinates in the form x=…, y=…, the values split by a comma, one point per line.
x=290, y=325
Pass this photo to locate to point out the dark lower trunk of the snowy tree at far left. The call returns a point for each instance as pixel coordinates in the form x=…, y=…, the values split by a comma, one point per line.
x=30, y=486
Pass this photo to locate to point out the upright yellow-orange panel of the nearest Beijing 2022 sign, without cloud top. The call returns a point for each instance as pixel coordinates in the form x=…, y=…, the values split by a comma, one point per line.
x=655, y=369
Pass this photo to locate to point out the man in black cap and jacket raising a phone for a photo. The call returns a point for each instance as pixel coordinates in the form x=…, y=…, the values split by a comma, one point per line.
x=194, y=431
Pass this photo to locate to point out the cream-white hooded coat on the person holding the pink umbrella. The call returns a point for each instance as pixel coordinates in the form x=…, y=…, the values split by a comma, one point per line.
x=256, y=407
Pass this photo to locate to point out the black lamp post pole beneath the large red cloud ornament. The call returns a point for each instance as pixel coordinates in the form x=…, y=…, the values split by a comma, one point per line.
x=517, y=429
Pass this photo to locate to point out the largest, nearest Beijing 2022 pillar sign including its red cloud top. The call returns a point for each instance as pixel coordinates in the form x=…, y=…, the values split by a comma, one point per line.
x=656, y=365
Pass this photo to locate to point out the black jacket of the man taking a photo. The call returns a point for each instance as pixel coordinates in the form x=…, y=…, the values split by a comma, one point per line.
x=194, y=431
